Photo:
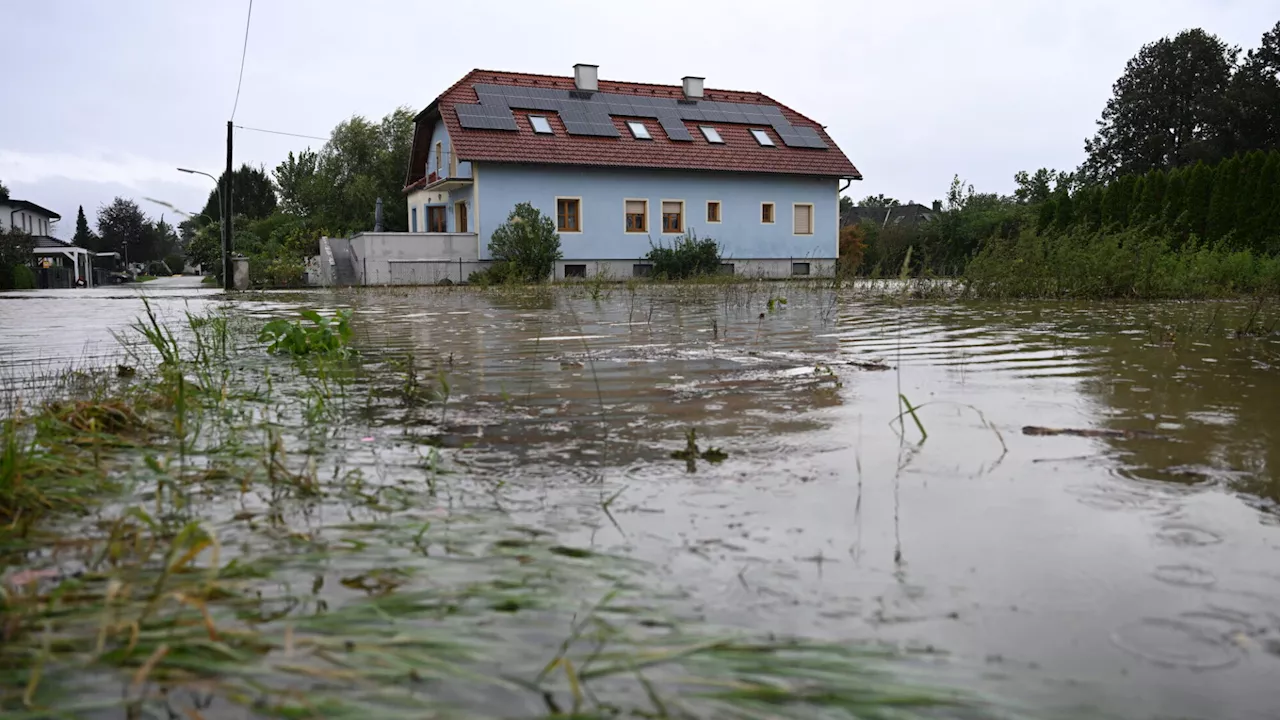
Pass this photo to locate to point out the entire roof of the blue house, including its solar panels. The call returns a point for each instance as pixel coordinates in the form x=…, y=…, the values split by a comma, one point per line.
x=487, y=116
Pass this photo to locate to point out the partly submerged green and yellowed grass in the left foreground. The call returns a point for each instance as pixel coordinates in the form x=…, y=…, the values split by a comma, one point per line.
x=208, y=527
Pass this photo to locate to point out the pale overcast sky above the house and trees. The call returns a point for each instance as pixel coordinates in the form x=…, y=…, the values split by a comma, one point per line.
x=106, y=99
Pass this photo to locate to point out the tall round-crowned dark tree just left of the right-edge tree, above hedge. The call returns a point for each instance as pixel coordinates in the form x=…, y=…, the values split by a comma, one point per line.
x=1167, y=111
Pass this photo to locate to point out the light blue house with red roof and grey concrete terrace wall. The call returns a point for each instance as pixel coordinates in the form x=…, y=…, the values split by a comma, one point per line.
x=621, y=167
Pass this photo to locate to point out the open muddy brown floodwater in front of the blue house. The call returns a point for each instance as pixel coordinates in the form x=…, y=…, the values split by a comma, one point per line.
x=1130, y=575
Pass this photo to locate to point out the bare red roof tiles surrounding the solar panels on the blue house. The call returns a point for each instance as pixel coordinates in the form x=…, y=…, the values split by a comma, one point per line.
x=740, y=152
